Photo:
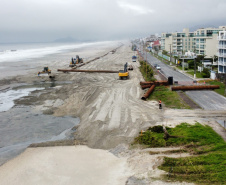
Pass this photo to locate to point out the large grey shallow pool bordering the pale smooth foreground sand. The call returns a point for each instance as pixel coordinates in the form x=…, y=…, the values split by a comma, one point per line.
x=20, y=127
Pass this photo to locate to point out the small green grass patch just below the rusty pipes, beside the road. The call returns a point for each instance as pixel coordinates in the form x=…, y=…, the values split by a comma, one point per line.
x=170, y=98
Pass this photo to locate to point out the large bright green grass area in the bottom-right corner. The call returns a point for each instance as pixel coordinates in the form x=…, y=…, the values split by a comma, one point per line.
x=209, y=164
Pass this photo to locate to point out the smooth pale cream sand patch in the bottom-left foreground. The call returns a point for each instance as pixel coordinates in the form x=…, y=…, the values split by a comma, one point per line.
x=65, y=165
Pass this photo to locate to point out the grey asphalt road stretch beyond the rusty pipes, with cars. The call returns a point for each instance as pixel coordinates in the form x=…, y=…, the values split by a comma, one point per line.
x=166, y=70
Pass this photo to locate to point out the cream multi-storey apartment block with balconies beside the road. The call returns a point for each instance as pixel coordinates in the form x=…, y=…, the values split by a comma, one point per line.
x=203, y=41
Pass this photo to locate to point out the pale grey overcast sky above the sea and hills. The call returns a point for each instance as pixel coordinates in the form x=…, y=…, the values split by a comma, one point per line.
x=47, y=20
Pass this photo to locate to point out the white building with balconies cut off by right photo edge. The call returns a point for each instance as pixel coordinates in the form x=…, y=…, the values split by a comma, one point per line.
x=222, y=52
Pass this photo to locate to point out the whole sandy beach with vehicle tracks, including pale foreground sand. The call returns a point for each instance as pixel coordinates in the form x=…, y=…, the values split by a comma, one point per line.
x=111, y=114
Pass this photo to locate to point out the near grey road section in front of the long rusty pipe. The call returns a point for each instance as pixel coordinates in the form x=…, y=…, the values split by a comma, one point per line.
x=208, y=100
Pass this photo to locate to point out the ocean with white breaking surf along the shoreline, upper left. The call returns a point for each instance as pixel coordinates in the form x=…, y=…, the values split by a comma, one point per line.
x=20, y=59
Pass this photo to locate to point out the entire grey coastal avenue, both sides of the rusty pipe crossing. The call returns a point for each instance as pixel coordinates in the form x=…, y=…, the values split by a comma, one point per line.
x=208, y=100
